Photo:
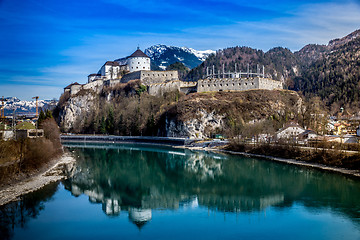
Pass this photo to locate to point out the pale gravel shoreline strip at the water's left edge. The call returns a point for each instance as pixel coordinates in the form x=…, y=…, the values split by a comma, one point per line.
x=55, y=170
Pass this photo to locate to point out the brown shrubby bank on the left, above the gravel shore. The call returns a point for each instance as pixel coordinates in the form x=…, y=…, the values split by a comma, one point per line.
x=21, y=158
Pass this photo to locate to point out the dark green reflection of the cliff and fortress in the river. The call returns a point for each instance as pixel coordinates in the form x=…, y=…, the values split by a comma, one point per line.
x=136, y=180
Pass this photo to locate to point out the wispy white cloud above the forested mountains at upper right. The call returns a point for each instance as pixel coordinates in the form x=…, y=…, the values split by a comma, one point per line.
x=316, y=23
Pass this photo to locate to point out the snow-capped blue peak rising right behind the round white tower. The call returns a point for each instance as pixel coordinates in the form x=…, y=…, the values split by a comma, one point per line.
x=162, y=55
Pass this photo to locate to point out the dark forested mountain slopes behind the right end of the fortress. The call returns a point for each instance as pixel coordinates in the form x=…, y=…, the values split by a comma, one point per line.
x=330, y=71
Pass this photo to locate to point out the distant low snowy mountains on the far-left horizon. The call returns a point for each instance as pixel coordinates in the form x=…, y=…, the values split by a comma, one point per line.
x=26, y=107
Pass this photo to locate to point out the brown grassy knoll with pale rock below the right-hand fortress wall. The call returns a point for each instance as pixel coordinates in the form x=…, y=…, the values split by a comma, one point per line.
x=202, y=115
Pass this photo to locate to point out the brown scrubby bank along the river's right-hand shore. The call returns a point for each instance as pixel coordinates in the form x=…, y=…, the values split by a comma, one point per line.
x=328, y=157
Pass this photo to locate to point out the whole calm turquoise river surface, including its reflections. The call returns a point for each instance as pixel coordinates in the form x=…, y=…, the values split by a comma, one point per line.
x=148, y=192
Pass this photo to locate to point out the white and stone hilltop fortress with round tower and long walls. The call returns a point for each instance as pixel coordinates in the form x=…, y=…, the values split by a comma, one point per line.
x=137, y=67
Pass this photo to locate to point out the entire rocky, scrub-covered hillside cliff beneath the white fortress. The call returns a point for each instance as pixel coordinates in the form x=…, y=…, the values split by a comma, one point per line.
x=124, y=110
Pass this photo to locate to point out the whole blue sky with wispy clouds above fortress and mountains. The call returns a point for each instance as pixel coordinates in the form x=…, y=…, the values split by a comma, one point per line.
x=47, y=44
